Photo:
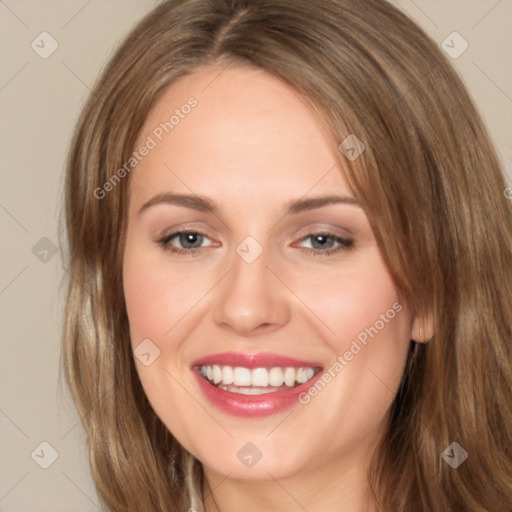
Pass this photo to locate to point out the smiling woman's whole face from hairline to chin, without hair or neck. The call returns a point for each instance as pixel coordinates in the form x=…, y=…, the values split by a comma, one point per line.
x=248, y=259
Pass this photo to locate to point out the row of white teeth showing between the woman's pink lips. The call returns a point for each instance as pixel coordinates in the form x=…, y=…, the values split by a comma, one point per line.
x=256, y=381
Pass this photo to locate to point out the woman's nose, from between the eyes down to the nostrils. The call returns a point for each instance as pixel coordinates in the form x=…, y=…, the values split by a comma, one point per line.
x=251, y=300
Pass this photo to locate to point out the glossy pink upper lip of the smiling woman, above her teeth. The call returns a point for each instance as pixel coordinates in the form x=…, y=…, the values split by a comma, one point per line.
x=260, y=360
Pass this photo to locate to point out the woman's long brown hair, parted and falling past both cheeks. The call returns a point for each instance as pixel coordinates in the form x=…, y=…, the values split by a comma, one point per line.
x=430, y=183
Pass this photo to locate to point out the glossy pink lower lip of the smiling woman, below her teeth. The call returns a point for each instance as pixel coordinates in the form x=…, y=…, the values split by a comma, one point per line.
x=253, y=406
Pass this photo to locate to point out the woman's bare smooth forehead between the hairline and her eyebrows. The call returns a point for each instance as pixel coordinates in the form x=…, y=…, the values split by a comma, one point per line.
x=248, y=135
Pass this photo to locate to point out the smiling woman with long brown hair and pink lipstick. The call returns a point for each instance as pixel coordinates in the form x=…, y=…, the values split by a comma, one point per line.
x=291, y=257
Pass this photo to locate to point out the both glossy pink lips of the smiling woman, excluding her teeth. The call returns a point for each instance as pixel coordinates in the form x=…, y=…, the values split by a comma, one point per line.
x=253, y=405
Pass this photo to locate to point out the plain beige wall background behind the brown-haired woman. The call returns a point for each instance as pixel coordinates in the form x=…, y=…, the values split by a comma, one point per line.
x=39, y=101
